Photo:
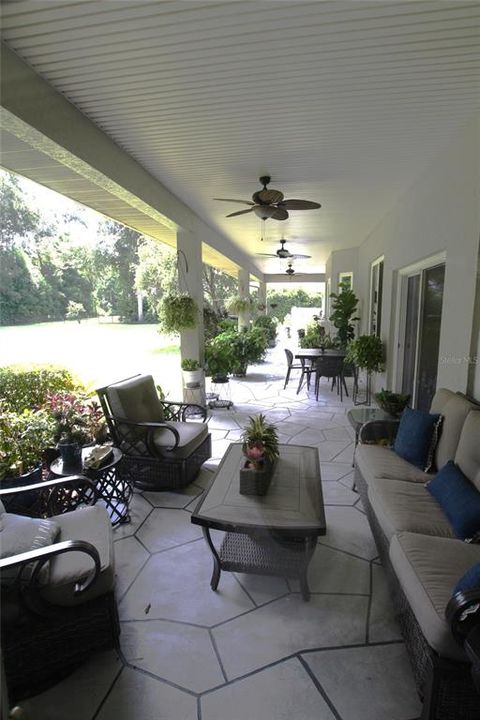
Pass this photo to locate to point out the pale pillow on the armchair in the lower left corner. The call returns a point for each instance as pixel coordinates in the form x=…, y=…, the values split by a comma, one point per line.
x=20, y=534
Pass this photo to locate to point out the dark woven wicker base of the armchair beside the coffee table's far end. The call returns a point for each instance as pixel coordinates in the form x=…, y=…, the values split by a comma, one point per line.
x=164, y=473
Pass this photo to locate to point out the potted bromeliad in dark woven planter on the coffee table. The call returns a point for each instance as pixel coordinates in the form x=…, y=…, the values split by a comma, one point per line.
x=260, y=447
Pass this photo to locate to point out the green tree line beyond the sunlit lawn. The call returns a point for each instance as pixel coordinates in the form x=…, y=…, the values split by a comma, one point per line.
x=47, y=275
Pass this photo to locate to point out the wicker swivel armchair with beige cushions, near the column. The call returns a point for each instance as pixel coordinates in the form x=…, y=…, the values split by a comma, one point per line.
x=162, y=448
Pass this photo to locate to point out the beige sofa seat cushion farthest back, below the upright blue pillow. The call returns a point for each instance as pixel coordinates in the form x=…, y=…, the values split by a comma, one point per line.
x=376, y=461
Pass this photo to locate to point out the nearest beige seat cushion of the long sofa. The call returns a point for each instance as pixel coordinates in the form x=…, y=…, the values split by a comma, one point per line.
x=428, y=569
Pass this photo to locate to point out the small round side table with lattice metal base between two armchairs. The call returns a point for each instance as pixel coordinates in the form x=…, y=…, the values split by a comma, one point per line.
x=113, y=485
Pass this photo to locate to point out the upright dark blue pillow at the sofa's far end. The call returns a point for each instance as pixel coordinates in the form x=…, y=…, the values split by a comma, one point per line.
x=417, y=437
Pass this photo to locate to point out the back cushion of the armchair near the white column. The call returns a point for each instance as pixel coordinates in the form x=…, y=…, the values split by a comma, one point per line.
x=136, y=400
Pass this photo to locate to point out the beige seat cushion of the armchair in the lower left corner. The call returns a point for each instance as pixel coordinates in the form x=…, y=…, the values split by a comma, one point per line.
x=91, y=524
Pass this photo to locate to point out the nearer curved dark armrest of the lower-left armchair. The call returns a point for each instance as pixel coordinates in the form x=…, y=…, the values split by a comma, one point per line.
x=43, y=555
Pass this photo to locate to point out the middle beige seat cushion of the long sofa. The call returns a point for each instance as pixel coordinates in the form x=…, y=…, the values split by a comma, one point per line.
x=402, y=506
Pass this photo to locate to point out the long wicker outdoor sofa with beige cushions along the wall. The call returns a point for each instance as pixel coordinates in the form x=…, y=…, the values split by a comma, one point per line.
x=421, y=552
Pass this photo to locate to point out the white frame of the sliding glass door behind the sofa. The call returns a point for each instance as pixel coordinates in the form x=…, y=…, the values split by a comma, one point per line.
x=401, y=313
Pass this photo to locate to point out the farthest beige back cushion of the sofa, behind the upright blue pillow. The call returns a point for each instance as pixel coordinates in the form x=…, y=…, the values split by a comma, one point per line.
x=454, y=407
